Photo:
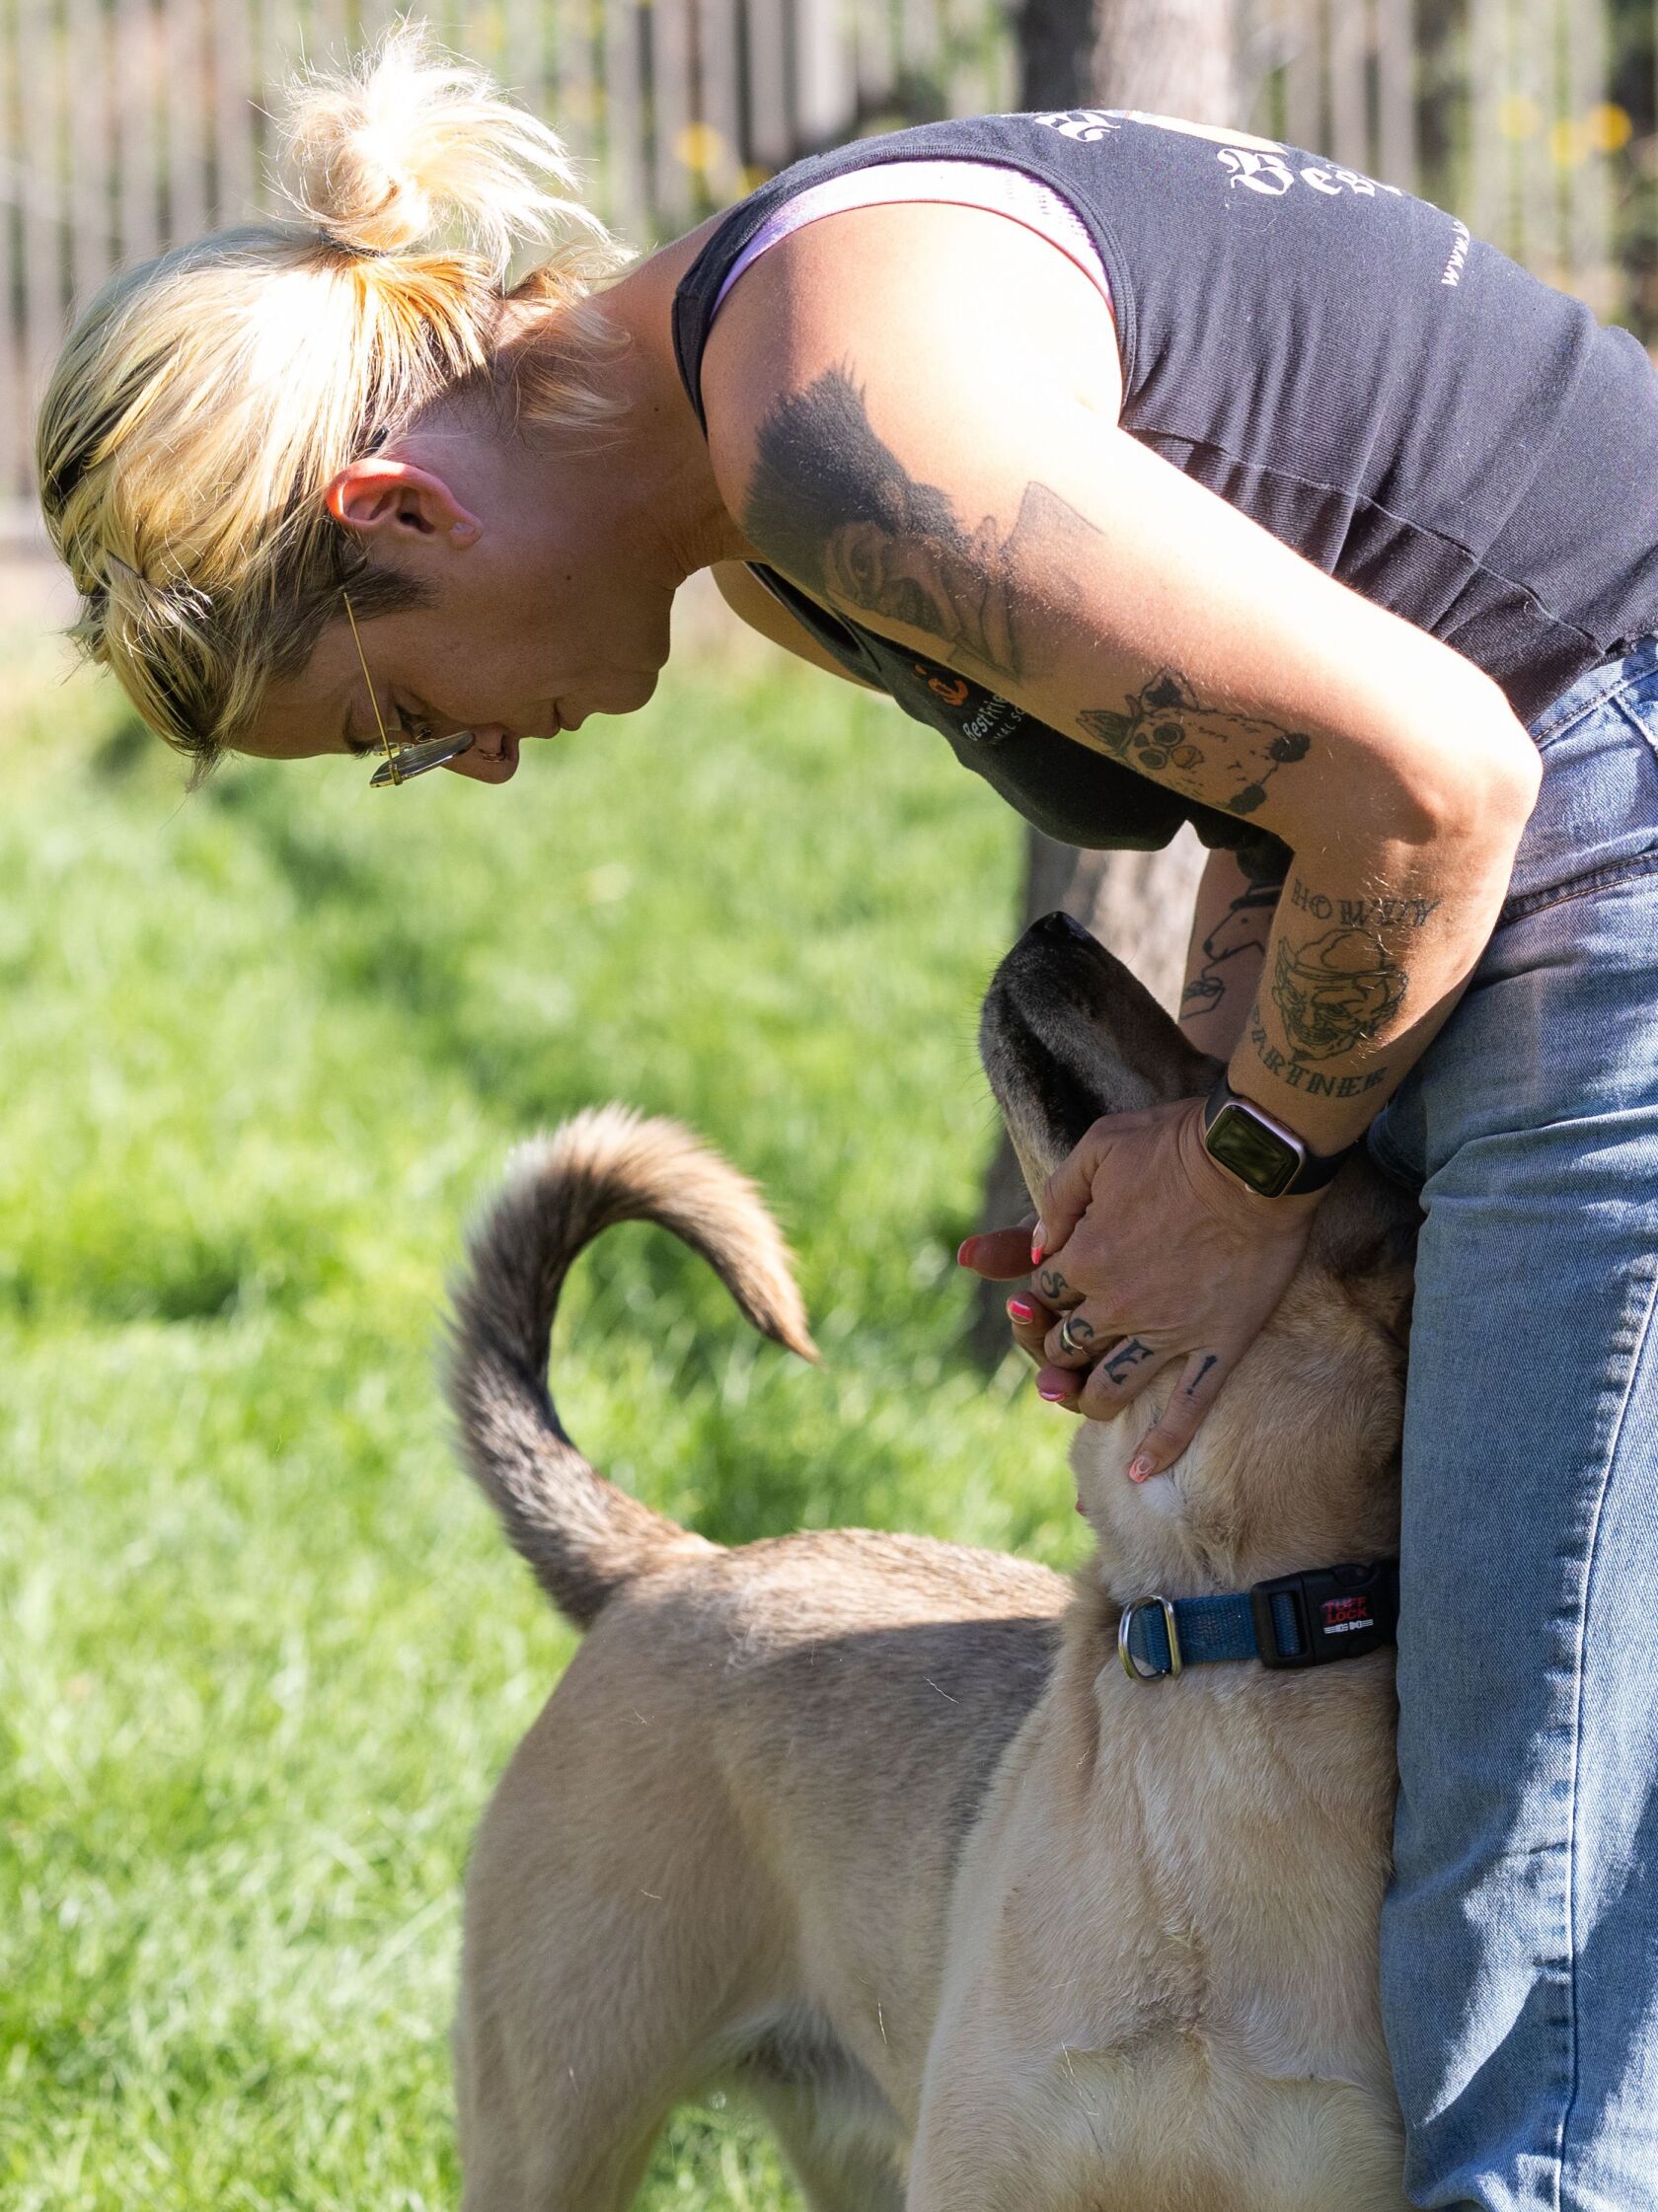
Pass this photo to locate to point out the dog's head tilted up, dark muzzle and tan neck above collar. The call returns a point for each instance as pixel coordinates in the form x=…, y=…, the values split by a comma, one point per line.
x=1298, y=1463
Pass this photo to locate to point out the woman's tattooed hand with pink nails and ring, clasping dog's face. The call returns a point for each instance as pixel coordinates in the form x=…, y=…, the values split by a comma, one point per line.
x=1148, y=1253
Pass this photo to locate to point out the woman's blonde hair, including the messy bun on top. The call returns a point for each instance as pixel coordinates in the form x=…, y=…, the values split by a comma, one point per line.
x=209, y=397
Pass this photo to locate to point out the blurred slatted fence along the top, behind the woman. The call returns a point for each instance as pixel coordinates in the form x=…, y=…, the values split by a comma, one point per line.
x=134, y=123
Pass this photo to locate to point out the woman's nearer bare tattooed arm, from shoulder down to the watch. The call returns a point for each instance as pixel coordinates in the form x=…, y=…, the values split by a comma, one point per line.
x=949, y=472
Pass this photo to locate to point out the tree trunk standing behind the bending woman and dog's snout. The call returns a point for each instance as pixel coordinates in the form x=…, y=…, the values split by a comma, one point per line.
x=1170, y=59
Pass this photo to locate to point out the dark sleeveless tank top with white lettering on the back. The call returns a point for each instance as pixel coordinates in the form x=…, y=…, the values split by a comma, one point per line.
x=1398, y=401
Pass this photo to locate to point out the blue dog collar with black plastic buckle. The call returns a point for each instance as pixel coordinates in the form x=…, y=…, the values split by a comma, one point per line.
x=1298, y=1620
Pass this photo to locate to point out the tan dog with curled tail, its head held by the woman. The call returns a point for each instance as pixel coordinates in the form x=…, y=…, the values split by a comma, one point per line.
x=878, y=1830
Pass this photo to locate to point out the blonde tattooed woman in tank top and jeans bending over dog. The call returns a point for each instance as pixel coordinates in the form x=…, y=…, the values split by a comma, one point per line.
x=1170, y=474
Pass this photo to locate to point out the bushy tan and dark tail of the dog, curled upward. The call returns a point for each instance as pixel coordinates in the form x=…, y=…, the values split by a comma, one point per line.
x=581, y=1536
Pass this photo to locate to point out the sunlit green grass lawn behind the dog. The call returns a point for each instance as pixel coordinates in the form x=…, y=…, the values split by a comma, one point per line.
x=262, y=1653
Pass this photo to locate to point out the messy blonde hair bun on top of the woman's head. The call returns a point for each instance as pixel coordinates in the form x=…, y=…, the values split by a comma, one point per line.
x=417, y=149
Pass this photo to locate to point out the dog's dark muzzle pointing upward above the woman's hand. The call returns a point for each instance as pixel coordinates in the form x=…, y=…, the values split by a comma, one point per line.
x=1068, y=1034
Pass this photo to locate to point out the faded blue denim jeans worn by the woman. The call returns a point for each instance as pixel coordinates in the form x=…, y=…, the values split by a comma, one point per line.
x=1520, y=1941
